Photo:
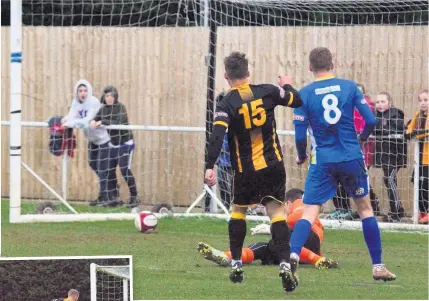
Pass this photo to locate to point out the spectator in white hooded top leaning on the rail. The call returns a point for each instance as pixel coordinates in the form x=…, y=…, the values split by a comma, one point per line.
x=83, y=109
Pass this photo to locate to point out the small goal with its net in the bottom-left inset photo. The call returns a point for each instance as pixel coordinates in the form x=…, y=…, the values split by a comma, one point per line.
x=110, y=283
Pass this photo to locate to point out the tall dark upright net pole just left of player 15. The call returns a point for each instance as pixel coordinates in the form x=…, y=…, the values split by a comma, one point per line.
x=209, y=20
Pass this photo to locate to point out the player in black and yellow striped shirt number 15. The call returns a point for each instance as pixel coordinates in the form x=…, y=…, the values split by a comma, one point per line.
x=247, y=111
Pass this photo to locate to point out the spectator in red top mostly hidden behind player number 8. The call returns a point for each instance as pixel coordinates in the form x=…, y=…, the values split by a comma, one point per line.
x=341, y=200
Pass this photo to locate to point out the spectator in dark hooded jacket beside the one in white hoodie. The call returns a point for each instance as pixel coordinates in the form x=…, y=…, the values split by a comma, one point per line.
x=121, y=142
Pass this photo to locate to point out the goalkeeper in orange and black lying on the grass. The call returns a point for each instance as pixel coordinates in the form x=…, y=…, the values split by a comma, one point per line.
x=265, y=251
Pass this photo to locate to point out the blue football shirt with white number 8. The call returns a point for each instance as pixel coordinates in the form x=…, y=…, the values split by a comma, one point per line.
x=328, y=112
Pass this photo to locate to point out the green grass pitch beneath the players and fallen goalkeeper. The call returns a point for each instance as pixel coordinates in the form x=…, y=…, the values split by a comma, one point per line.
x=167, y=266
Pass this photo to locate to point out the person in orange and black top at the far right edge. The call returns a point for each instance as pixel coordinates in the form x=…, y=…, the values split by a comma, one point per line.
x=418, y=129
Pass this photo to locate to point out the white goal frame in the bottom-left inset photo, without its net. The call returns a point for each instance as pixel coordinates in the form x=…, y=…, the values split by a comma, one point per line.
x=94, y=268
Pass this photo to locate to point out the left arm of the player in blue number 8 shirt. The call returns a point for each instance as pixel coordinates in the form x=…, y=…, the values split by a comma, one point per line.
x=300, y=120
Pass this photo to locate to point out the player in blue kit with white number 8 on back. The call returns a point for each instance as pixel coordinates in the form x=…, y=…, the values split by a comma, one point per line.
x=336, y=156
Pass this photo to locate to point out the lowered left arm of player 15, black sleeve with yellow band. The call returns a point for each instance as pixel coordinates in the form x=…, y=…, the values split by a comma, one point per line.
x=220, y=125
